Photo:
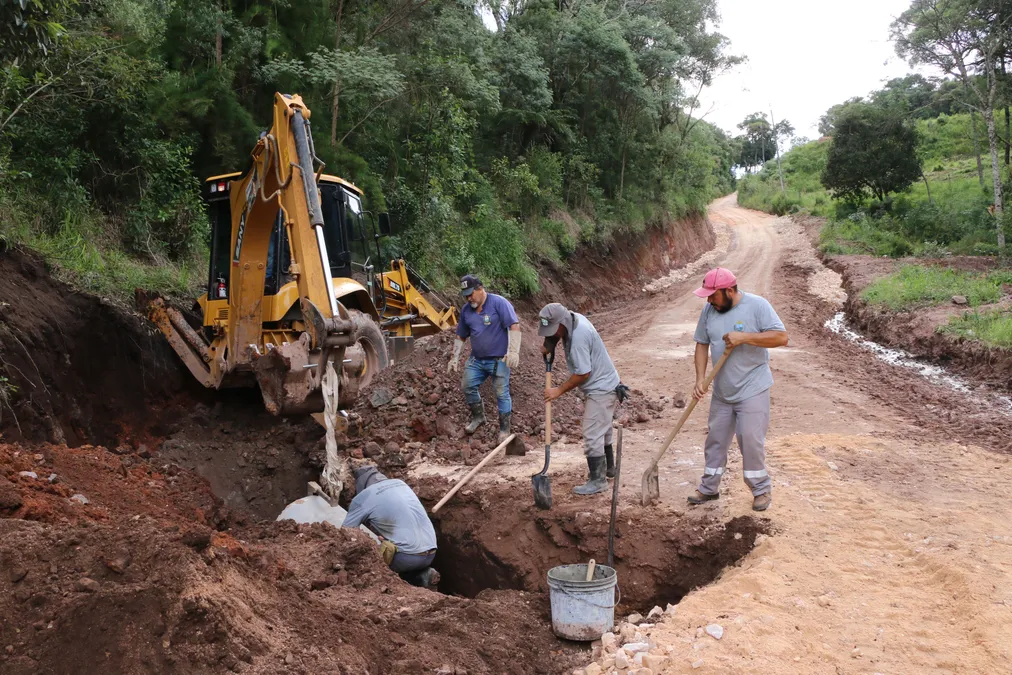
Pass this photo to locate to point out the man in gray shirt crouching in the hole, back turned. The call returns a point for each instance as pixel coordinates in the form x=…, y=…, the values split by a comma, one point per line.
x=390, y=509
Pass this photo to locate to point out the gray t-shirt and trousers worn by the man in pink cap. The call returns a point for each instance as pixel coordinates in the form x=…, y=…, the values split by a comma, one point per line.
x=740, y=405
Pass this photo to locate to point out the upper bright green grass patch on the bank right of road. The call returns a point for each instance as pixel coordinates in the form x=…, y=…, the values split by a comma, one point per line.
x=916, y=286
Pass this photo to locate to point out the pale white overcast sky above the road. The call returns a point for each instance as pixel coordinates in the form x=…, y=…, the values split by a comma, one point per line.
x=804, y=57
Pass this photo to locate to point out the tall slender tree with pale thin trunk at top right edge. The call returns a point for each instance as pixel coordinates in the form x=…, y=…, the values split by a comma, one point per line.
x=963, y=38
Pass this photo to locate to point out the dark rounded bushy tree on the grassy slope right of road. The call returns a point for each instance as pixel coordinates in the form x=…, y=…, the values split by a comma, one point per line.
x=874, y=151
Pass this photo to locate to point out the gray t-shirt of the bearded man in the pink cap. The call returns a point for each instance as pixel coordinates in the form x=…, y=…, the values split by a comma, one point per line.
x=746, y=372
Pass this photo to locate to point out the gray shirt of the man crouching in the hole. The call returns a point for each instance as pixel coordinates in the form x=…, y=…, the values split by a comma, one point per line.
x=392, y=510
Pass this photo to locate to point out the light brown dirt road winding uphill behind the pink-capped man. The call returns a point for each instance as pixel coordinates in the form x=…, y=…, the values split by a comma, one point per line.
x=891, y=549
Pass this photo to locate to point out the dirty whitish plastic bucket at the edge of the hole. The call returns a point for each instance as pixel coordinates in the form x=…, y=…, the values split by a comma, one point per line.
x=581, y=610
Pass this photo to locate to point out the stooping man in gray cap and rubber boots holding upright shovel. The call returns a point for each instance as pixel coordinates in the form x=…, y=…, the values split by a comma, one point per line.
x=593, y=371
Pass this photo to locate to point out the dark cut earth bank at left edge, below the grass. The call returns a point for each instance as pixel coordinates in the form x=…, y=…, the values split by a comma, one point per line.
x=77, y=369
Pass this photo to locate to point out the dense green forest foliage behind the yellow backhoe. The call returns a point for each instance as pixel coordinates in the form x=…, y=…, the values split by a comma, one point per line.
x=492, y=150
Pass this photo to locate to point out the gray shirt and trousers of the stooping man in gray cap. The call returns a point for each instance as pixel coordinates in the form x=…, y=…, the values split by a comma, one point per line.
x=585, y=353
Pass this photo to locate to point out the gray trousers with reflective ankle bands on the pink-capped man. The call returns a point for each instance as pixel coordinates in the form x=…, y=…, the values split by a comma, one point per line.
x=748, y=420
